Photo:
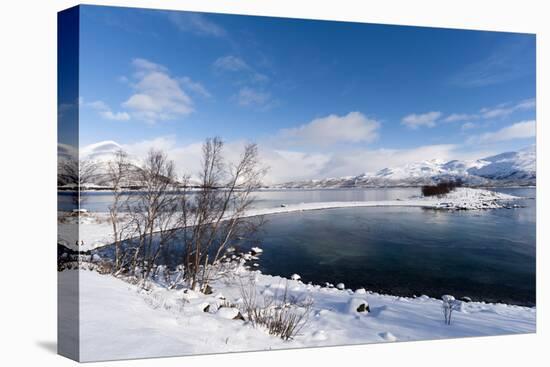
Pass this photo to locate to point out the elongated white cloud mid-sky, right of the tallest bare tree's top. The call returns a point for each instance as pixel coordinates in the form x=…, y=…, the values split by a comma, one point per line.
x=351, y=128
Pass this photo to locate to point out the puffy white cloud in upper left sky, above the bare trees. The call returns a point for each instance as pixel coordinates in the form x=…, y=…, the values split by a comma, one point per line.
x=158, y=96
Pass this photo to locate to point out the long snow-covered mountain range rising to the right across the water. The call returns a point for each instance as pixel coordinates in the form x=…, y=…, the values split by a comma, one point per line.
x=506, y=169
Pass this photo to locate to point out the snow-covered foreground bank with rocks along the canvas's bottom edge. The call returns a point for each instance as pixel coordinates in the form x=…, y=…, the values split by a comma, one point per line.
x=120, y=320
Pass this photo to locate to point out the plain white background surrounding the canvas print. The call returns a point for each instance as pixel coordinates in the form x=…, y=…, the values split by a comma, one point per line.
x=28, y=180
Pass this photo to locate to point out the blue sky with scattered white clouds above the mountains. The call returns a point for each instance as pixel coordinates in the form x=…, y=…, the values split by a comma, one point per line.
x=321, y=98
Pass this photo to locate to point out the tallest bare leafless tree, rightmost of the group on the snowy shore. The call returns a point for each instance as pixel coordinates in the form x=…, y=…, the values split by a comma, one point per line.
x=213, y=217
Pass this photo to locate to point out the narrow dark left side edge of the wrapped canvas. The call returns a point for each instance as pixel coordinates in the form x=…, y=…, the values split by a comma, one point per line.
x=67, y=183
